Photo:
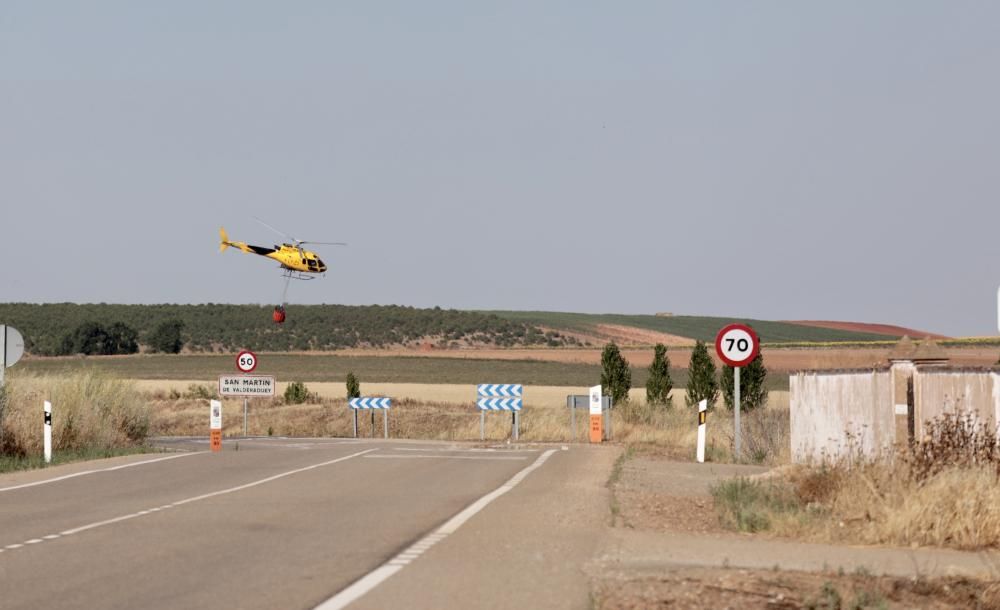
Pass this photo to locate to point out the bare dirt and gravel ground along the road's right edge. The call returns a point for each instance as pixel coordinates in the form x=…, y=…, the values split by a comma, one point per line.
x=667, y=549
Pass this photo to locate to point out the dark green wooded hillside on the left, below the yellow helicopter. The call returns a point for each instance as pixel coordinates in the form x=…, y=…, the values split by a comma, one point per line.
x=102, y=329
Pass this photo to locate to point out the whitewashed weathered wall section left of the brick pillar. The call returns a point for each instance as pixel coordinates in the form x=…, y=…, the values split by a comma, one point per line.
x=834, y=414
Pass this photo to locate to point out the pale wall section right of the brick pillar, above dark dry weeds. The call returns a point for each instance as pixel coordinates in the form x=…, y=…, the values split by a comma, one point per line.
x=938, y=391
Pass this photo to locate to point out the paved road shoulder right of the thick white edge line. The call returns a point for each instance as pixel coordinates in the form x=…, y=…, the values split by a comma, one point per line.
x=528, y=549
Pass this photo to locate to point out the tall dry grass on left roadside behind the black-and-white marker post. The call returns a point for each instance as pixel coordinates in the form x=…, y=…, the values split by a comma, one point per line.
x=89, y=411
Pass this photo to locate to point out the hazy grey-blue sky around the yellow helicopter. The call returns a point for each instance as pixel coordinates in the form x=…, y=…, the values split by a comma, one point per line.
x=778, y=160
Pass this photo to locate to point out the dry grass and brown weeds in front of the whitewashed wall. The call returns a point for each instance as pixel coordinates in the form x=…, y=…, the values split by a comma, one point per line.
x=944, y=492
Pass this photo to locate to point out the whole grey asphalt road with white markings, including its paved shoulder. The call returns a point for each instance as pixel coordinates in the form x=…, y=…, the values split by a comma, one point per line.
x=294, y=523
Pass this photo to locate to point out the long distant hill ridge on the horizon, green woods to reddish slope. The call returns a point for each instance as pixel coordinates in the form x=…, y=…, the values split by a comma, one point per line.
x=224, y=328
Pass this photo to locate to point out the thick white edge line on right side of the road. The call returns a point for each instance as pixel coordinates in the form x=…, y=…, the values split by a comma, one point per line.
x=397, y=563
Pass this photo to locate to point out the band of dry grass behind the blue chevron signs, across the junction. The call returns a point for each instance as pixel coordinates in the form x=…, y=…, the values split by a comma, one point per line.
x=181, y=408
